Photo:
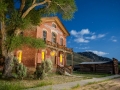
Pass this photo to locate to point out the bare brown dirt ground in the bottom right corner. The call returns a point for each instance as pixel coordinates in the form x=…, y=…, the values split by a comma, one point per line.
x=113, y=84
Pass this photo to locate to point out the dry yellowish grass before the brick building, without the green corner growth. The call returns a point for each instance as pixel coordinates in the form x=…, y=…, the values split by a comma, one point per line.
x=49, y=80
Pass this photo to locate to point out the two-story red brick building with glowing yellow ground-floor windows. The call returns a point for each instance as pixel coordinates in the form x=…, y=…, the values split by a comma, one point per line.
x=54, y=33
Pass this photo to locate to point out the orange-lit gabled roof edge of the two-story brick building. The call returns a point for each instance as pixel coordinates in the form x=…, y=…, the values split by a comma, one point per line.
x=59, y=23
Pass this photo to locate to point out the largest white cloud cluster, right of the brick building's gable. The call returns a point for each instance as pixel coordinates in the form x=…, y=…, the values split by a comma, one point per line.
x=84, y=36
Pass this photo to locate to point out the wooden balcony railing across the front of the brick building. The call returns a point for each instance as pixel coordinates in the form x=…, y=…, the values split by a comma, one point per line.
x=58, y=46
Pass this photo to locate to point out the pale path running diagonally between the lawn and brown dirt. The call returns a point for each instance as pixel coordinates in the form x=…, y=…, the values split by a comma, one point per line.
x=69, y=85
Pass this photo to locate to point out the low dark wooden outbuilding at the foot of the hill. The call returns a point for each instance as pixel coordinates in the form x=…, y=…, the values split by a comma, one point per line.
x=100, y=67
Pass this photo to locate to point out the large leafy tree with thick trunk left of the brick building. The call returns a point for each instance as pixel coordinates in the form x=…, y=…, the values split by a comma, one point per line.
x=17, y=15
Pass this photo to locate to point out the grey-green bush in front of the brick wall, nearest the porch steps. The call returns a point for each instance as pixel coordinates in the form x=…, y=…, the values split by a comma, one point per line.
x=44, y=68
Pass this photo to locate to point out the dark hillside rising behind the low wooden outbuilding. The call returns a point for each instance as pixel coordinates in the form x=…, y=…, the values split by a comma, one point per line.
x=85, y=57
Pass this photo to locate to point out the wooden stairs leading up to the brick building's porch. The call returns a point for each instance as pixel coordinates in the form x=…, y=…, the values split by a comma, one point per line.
x=62, y=70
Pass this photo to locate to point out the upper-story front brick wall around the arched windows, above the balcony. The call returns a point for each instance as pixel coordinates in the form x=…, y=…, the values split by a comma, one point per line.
x=48, y=27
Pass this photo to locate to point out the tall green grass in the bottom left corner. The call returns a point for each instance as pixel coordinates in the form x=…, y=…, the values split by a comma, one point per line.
x=10, y=86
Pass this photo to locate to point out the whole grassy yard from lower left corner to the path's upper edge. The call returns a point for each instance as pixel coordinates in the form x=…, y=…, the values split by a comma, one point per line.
x=51, y=79
